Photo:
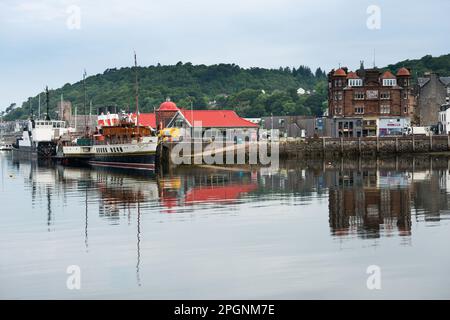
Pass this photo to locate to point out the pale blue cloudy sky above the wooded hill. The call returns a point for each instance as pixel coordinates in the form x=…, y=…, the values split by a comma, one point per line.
x=51, y=42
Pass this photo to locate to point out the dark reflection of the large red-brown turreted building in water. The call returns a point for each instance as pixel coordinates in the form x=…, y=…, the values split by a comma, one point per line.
x=359, y=205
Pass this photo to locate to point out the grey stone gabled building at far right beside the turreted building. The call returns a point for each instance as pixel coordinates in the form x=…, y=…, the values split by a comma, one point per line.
x=432, y=92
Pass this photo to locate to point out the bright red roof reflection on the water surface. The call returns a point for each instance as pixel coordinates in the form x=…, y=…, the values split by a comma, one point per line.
x=214, y=193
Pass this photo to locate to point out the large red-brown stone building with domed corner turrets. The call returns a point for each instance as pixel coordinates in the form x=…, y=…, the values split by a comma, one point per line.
x=358, y=100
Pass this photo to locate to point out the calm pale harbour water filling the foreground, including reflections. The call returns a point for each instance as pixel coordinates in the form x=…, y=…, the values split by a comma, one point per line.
x=307, y=230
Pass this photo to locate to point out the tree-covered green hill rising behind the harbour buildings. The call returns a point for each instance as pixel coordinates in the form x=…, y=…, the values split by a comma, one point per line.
x=252, y=92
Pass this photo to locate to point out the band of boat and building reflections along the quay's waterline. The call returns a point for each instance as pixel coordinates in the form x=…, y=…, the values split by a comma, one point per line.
x=368, y=198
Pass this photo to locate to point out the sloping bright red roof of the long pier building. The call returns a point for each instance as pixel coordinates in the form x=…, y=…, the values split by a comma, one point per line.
x=217, y=119
